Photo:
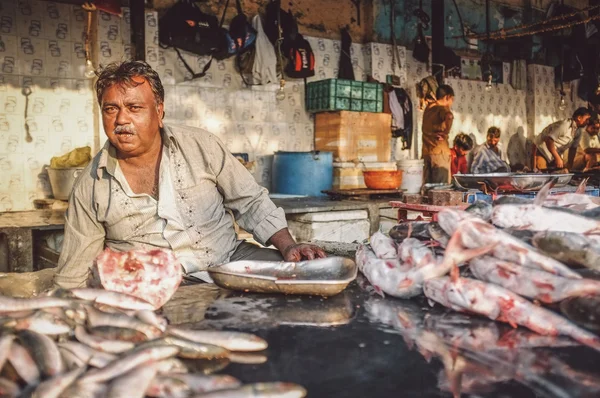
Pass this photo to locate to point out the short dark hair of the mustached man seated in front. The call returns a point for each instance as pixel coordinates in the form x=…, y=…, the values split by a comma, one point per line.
x=123, y=73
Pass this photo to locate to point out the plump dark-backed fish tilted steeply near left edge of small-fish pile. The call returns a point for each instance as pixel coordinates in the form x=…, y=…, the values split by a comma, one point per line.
x=44, y=352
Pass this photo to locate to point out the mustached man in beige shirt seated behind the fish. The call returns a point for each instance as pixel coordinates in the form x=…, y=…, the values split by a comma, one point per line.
x=155, y=185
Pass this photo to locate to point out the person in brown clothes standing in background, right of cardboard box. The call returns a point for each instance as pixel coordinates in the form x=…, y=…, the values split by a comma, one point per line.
x=437, y=122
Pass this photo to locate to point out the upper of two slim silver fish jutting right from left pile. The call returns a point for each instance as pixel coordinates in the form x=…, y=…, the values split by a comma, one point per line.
x=233, y=341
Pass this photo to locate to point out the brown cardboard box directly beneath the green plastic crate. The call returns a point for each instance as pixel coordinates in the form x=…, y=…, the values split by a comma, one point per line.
x=354, y=136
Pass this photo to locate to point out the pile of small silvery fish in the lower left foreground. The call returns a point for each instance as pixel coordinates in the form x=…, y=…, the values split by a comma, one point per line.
x=99, y=343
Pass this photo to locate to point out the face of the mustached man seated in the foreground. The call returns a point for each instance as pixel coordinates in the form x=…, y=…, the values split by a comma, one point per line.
x=131, y=118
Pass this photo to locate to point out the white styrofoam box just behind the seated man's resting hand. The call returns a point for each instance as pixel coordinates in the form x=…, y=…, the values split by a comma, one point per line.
x=334, y=231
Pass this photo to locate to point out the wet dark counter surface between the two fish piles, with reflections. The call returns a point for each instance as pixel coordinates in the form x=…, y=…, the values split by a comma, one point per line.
x=357, y=344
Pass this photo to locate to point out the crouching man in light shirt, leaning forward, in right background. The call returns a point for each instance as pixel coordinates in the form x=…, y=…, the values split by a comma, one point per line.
x=556, y=139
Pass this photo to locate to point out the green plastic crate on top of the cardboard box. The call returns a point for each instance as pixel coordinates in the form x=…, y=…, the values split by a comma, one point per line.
x=344, y=95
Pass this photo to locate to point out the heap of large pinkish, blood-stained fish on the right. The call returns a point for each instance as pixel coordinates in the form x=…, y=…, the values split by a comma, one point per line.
x=517, y=250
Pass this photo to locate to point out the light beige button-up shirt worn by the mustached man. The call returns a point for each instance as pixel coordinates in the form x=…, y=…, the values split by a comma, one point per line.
x=199, y=181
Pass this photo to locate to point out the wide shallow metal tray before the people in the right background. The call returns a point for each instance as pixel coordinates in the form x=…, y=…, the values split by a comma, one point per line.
x=510, y=182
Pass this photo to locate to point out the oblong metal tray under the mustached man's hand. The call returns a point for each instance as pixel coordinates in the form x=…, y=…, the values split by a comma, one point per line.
x=322, y=277
